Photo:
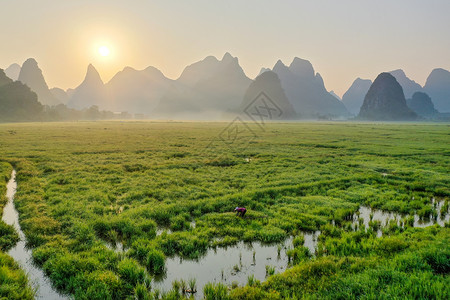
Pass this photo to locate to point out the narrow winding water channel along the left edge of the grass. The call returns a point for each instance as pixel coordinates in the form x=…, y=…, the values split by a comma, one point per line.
x=21, y=254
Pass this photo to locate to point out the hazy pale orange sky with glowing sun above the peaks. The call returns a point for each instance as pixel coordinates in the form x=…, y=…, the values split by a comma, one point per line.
x=343, y=39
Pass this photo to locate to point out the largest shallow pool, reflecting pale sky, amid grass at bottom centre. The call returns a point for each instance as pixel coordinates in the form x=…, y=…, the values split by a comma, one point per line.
x=233, y=263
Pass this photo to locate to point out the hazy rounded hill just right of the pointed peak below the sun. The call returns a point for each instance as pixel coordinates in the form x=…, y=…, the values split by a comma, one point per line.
x=137, y=91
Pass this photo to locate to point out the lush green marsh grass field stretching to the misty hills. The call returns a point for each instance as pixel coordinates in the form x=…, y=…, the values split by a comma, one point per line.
x=81, y=185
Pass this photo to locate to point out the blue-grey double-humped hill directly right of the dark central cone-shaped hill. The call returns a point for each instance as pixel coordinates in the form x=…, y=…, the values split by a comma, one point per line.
x=306, y=91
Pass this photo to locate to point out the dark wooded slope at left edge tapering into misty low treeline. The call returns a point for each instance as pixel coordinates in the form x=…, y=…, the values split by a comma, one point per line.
x=19, y=104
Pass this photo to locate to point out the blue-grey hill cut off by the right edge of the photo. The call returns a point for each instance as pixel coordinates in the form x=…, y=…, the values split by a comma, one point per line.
x=437, y=87
